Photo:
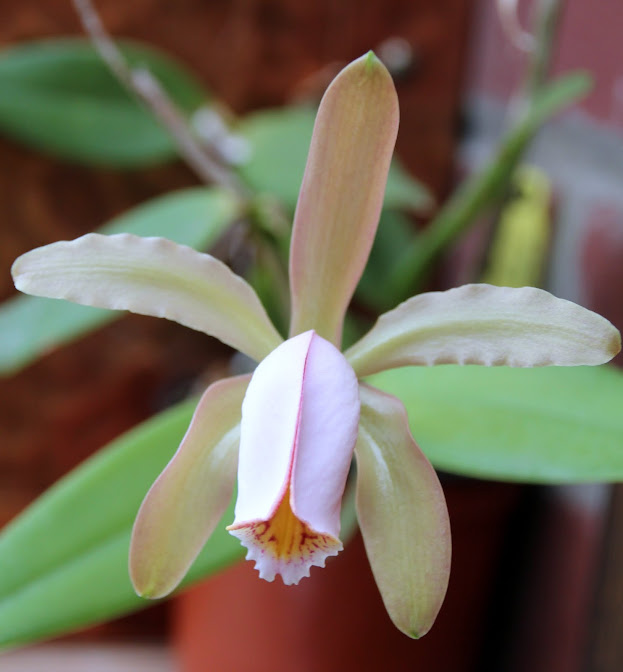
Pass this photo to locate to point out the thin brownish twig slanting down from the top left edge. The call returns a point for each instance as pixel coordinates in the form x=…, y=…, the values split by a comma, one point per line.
x=141, y=83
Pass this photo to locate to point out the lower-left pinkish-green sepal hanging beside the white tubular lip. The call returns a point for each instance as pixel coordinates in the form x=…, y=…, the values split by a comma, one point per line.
x=186, y=502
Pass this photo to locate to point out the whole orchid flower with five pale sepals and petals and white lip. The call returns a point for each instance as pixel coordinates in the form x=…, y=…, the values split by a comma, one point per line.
x=290, y=428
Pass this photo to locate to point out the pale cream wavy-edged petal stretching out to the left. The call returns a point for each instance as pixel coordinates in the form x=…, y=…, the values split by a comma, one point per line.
x=151, y=276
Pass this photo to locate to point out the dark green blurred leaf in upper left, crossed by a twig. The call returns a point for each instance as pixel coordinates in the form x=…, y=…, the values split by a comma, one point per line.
x=59, y=97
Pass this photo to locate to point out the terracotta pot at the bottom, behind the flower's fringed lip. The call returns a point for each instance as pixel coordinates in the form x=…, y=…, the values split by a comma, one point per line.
x=335, y=621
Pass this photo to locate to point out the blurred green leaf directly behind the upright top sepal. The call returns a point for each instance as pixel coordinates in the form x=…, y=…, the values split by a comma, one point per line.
x=279, y=141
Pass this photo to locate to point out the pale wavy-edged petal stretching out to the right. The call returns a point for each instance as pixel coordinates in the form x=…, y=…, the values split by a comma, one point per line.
x=483, y=324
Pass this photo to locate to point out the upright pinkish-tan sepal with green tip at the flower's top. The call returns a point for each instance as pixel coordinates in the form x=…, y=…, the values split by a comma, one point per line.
x=341, y=195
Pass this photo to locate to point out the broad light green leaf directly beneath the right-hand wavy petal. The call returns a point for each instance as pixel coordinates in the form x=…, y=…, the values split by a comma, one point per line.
x=546, y=425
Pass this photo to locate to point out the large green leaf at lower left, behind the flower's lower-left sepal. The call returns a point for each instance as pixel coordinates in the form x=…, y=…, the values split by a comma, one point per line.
x=64, y=560
